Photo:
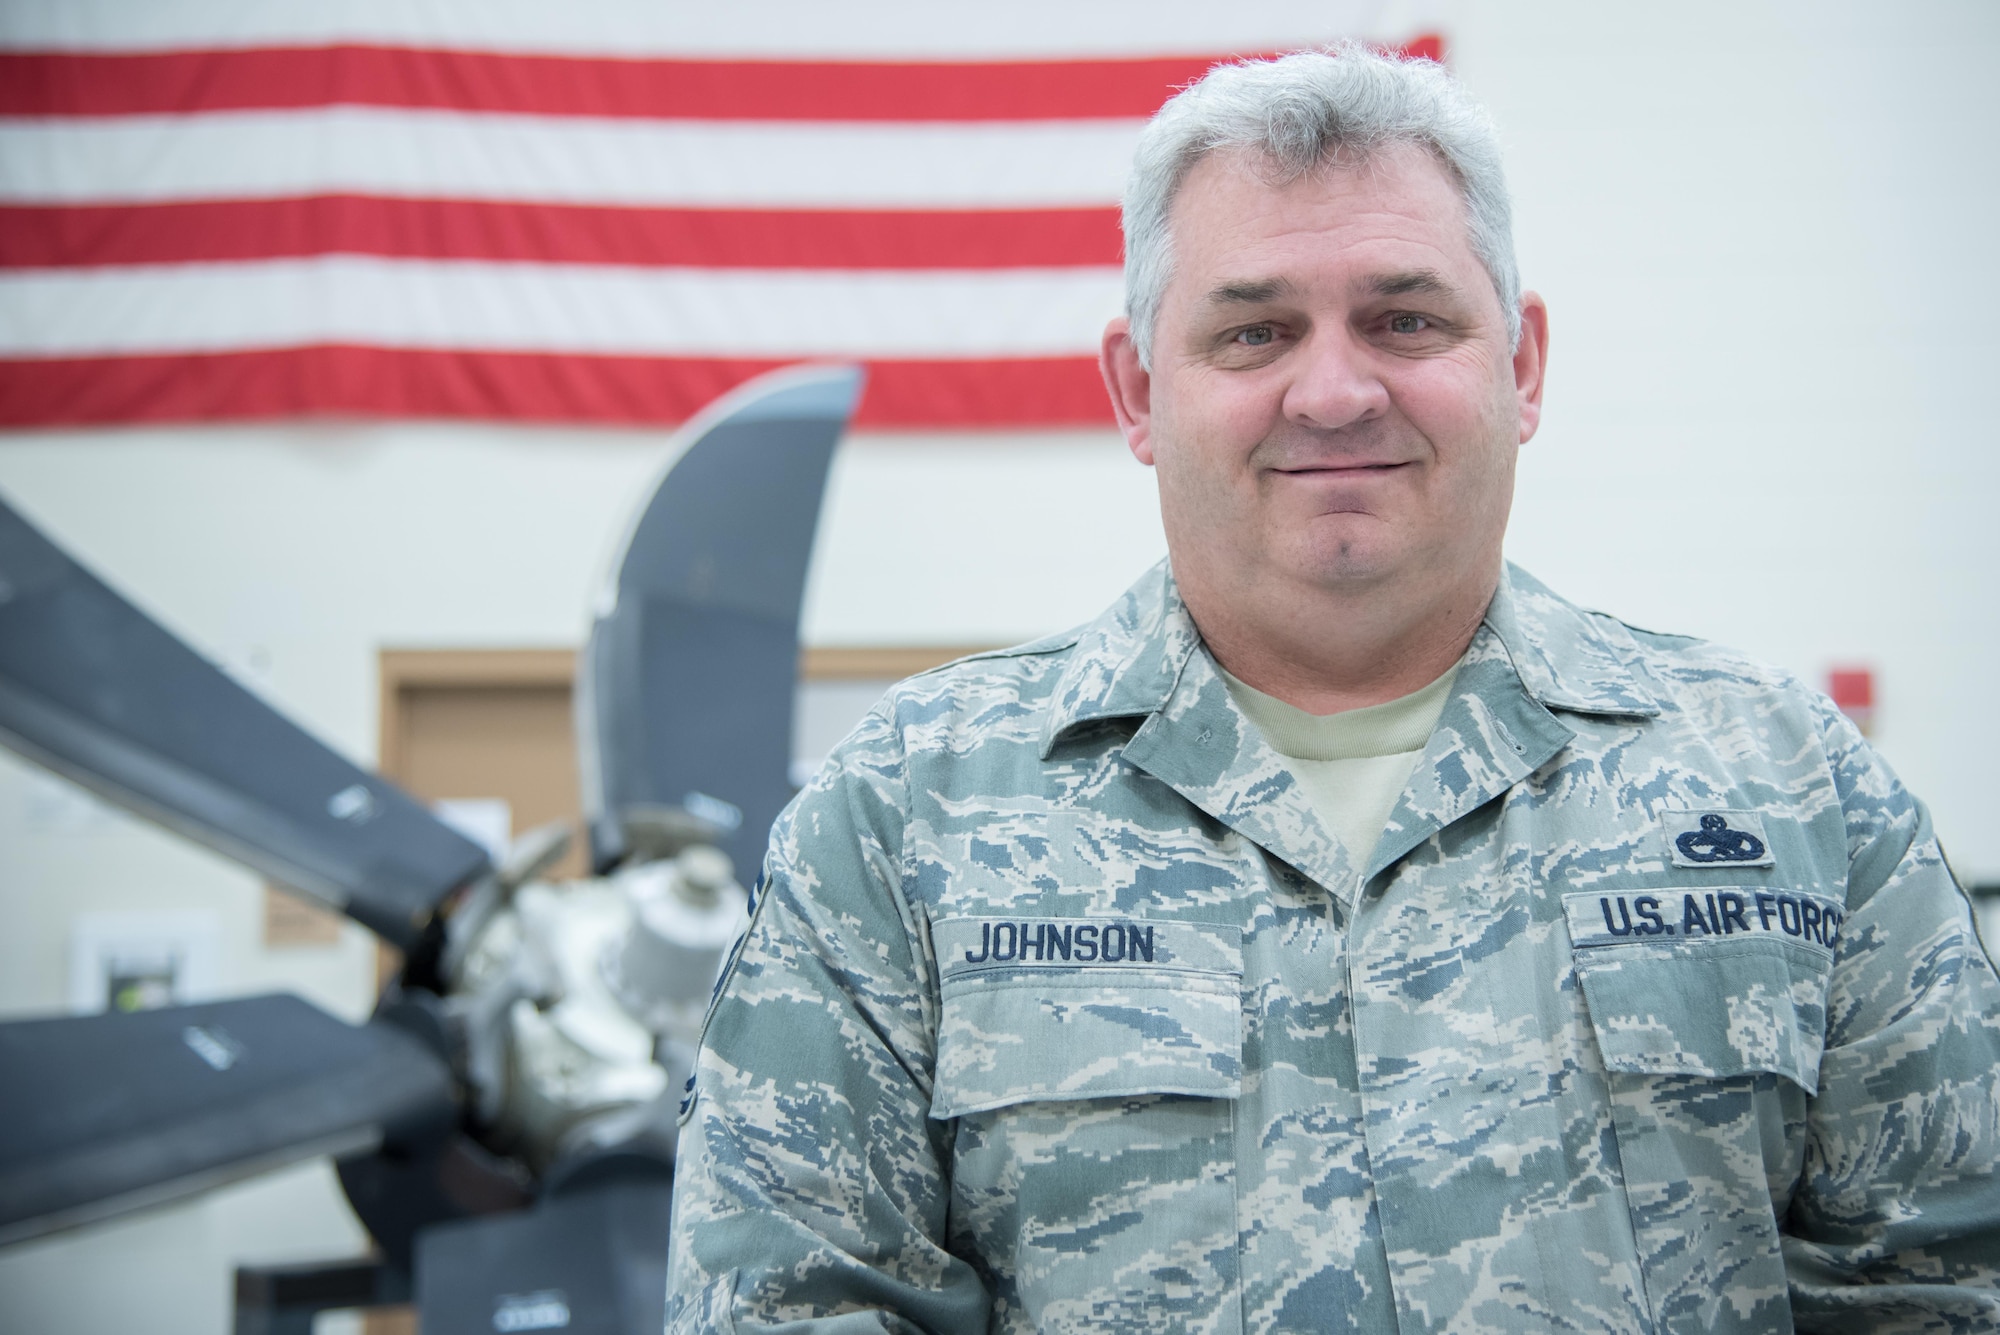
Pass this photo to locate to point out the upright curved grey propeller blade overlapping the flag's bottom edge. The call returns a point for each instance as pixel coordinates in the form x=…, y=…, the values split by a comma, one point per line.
x=685, y=694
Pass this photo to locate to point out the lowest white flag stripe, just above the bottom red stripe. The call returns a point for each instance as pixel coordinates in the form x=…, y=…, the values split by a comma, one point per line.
x=555, y=309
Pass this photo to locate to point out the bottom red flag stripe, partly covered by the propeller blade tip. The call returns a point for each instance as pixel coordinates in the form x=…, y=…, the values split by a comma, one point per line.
x=391, y=383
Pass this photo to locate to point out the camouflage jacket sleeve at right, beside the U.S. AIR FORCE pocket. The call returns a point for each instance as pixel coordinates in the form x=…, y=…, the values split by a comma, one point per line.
x=1895, y=1224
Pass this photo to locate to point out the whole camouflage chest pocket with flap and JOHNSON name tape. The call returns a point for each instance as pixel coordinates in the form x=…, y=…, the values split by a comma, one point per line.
x=1093, y=1070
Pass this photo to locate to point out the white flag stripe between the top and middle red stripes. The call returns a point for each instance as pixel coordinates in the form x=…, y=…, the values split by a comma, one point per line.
x=575, y=161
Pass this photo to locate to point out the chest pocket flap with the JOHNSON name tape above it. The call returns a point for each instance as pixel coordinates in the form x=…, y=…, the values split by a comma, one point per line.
x=1083, y=1008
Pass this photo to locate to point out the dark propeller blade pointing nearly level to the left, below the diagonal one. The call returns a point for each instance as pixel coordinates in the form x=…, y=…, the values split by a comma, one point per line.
x=107, y=1114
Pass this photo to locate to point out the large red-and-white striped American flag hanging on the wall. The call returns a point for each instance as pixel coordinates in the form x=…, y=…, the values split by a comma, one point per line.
x=581, y=213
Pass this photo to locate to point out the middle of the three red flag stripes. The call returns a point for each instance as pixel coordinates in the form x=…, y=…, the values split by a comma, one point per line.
x=215, y=231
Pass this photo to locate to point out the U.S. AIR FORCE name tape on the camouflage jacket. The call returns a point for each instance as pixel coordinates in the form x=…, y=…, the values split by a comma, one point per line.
x=1705, y=914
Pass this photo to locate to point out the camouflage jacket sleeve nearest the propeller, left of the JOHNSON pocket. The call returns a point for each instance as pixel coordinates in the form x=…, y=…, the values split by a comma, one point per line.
x=811, y=1192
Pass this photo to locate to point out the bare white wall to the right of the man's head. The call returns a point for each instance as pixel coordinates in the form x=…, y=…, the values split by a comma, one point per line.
x=1765, y=233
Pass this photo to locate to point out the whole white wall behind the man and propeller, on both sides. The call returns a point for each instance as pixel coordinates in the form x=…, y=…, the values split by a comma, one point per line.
x=1763, y=231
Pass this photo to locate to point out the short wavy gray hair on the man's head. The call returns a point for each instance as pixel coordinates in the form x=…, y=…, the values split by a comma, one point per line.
x=1303, y=111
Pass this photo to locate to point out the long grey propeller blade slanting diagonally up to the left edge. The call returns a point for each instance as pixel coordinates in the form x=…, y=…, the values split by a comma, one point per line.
x=99, y=692
